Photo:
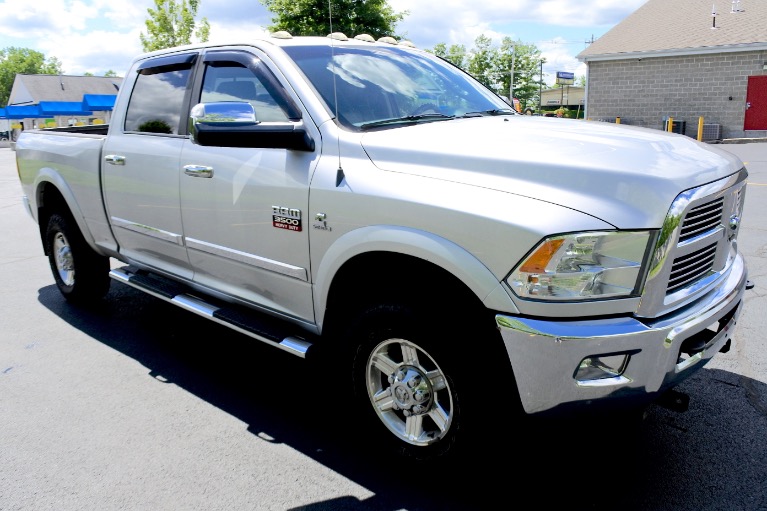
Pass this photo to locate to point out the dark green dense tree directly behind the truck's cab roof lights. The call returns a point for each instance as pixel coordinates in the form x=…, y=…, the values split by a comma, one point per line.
x=352, y=17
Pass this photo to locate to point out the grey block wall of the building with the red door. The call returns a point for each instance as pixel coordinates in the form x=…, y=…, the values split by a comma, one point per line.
x=643, y=92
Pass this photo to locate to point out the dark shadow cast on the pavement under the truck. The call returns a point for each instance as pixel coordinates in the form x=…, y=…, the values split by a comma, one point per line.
x=714, y=456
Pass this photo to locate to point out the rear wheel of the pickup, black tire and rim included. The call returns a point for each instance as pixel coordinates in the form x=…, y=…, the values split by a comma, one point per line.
x=81, y=274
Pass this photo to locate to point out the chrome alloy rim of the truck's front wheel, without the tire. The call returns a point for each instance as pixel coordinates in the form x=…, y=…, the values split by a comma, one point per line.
x=409, y=392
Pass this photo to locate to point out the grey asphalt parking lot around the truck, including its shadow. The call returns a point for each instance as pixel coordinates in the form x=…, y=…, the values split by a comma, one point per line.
x=137, y=405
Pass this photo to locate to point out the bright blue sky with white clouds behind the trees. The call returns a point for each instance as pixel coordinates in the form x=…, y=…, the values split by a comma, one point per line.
x=99, y=35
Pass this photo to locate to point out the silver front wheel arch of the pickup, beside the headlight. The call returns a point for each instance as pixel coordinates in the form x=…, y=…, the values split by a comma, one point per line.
x=378, y=260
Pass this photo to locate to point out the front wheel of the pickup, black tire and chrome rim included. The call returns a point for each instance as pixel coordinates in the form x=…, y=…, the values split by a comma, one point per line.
x=421, y=399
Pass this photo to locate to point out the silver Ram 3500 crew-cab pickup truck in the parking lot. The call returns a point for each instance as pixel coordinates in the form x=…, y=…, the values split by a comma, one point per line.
x=449, y=262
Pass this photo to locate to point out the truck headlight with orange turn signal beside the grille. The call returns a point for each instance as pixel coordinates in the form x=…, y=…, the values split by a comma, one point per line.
x=585, y=265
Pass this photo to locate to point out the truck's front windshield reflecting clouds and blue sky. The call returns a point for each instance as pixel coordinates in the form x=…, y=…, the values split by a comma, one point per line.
x=381, y=87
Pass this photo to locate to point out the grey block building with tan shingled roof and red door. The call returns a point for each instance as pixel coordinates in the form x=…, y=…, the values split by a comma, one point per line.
x=686, y=61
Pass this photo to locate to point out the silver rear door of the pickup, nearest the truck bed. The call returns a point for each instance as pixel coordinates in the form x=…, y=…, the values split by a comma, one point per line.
x=141, y=164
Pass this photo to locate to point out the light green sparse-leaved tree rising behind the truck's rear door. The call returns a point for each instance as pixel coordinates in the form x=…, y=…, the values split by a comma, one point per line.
x=173, y=23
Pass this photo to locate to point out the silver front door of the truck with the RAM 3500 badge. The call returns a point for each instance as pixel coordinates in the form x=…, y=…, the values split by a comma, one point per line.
x=244, y=210
